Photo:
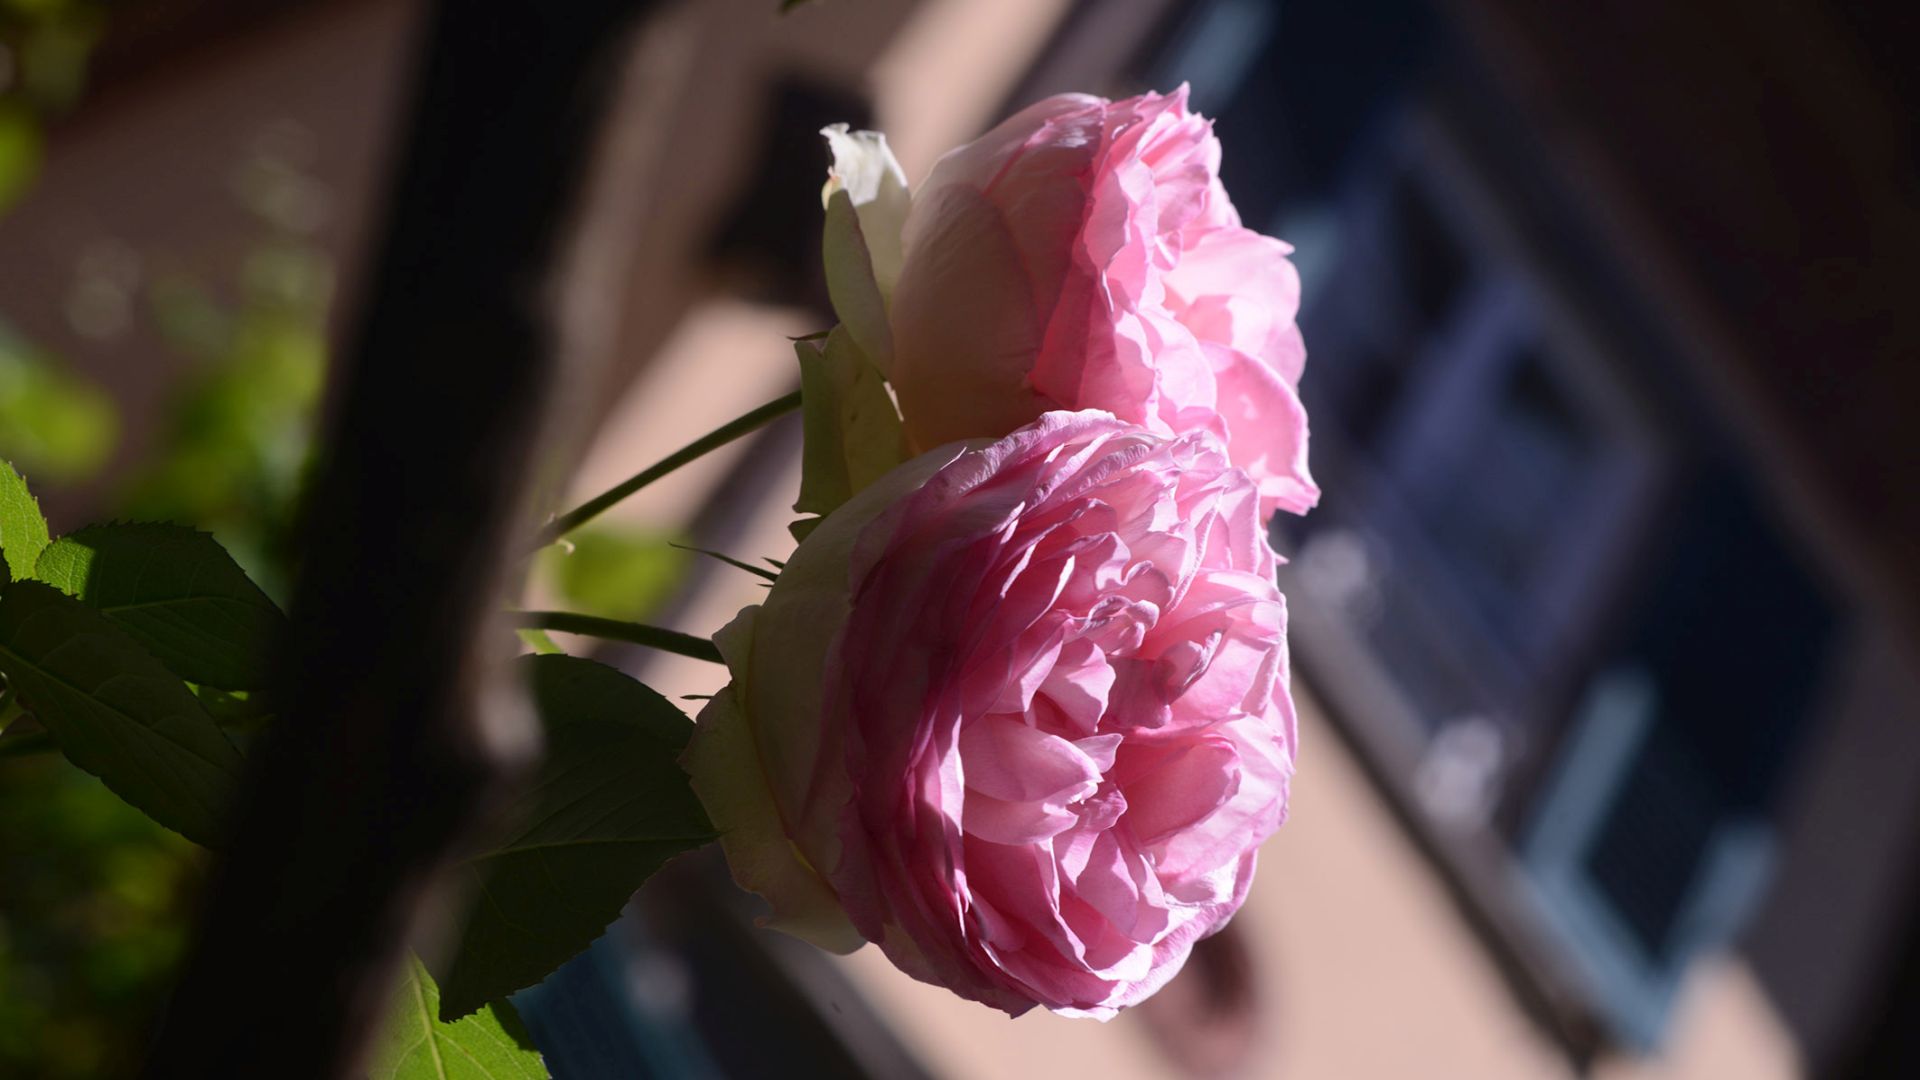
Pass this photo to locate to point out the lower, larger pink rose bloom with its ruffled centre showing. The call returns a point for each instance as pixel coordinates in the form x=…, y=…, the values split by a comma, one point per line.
x=1019, y=714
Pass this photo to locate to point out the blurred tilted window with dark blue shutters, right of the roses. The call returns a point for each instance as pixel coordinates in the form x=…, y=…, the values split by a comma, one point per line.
x=1543, y=589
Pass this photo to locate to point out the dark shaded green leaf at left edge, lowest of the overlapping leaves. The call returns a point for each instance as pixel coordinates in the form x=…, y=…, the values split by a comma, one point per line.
x=116, y=712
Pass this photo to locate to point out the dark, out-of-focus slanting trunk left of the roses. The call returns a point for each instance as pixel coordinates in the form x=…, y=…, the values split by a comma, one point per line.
x=393, y=739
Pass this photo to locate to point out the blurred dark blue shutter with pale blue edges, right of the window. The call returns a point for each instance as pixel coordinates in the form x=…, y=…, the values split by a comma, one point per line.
x=1654, y=837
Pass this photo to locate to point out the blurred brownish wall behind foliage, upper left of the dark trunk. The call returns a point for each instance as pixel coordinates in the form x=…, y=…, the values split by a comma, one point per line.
x=158, y=174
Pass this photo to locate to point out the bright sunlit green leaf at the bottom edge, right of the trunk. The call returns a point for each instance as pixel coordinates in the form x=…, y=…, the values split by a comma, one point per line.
x=492, y=1044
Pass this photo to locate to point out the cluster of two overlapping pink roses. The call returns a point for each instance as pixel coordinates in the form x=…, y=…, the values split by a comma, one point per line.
x=1019, y=708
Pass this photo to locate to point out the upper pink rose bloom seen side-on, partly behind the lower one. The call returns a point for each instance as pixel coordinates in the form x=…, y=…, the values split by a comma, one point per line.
x=1086, y=257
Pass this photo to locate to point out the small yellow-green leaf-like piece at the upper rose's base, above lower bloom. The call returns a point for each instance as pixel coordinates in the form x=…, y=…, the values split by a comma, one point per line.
x=850, y=424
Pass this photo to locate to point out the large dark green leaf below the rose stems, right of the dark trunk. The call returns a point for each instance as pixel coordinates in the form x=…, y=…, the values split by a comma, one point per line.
x=608, y=810
